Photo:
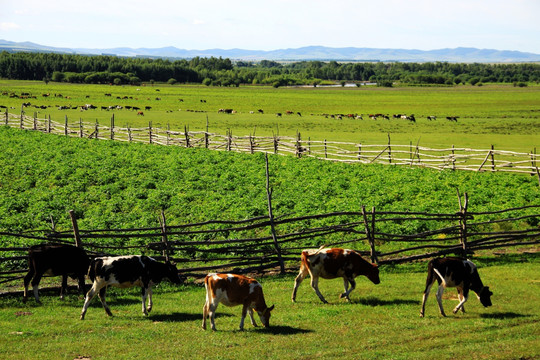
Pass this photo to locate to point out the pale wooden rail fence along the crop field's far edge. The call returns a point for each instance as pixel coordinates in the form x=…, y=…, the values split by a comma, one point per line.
x=453, y=158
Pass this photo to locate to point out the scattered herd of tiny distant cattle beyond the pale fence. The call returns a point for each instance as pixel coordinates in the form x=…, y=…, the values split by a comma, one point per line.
x=139, y=109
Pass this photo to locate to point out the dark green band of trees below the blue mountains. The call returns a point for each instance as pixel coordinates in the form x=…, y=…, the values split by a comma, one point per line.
x=223, y=72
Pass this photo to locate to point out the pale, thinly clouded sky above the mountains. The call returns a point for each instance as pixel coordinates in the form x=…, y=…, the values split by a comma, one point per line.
x=274, y=24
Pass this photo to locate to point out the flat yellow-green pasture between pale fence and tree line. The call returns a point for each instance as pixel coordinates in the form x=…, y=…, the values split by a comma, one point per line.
x=501, y=115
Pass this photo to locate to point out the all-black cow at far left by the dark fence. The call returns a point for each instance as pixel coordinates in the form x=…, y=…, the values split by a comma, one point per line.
x=55, y=260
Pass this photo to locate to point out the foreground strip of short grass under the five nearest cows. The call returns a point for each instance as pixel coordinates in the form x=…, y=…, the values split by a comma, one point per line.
x=381, y=322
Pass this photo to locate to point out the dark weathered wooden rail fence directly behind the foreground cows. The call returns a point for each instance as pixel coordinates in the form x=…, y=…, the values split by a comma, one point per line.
x=259, y=244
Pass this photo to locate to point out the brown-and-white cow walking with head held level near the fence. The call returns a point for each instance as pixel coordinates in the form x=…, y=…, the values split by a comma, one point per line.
x=333, y=263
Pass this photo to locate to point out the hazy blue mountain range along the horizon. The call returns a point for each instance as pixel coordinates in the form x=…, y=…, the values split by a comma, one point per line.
x=460, y=54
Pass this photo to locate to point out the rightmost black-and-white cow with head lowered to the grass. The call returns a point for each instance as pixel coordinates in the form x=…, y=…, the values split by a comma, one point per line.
x=459, y=273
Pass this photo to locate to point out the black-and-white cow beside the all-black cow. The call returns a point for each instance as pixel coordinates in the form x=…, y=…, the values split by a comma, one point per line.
x=124, y=272
